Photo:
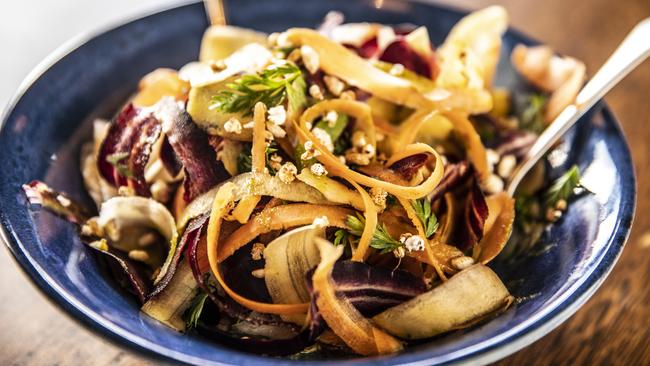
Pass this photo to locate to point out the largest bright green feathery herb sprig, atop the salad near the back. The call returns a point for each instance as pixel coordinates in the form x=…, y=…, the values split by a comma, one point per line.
x=270, y=87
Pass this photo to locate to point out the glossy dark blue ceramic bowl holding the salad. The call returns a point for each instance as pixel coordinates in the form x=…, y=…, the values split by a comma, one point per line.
x=46, y=123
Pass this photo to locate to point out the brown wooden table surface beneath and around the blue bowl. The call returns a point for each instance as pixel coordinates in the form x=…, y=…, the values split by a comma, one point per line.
x=612, y=328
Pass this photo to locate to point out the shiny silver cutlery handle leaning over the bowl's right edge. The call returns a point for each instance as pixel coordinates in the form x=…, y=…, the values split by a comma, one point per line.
x=634, y=49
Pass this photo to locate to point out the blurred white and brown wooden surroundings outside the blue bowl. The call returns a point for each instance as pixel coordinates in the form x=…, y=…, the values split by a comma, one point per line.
x=612, y=328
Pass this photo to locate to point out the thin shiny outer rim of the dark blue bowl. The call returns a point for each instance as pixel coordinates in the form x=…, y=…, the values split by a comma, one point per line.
x=486, y=351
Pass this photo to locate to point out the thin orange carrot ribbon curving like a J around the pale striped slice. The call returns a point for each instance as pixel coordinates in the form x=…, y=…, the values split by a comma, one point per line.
x=222, y=203
